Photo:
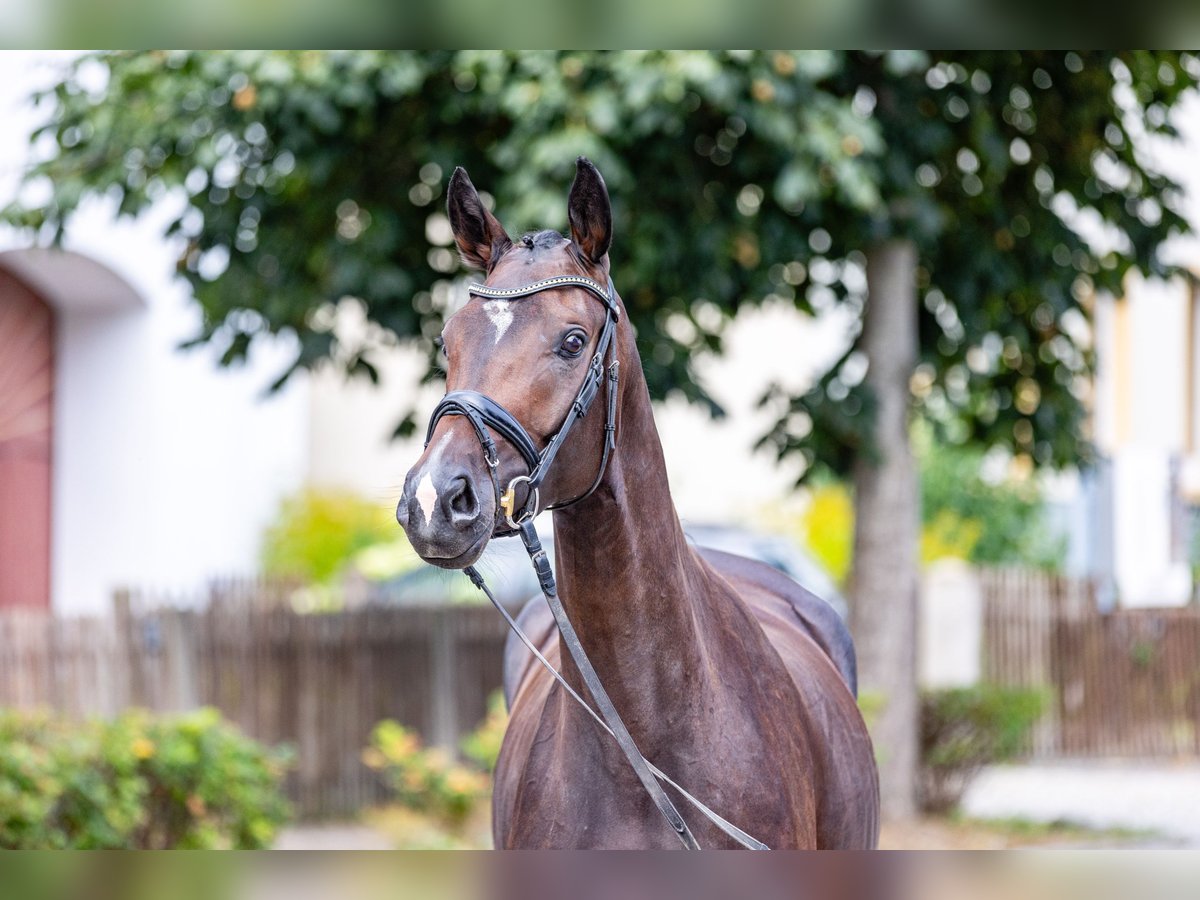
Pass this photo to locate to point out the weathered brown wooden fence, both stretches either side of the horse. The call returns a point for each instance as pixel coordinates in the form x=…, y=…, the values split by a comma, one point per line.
x=1125, y=683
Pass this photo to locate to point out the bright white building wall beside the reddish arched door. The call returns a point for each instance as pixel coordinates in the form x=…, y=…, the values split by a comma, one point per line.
x=166, y=469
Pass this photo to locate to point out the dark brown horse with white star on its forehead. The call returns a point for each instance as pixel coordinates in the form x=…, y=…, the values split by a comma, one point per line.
x=733, y=680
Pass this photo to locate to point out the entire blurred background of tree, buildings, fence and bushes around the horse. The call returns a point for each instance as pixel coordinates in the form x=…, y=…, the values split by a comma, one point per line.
x=922, y=329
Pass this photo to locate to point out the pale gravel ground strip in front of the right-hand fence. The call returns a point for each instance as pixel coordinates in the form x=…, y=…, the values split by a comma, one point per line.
x=1161, y=797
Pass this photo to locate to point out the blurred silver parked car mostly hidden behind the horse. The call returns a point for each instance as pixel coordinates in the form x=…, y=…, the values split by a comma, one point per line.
x=507, y=569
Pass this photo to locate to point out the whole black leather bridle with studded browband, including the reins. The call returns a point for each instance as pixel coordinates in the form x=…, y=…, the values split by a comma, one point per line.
x=485, y=413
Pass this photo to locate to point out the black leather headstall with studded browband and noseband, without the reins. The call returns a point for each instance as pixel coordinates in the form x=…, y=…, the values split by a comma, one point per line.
x=485, y=413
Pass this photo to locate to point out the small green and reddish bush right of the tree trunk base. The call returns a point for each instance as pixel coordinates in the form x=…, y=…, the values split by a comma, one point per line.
x=965, y=729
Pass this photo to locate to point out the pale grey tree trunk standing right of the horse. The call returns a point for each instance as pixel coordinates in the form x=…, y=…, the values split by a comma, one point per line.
x=885, y=574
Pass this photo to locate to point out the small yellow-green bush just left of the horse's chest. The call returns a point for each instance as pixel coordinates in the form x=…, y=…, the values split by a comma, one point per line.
x=425, y=781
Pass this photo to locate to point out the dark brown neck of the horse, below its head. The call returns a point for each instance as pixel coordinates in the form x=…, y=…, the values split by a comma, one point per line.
x=629, y=583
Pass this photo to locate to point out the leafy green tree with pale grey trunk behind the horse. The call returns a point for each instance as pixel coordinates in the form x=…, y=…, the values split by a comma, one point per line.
x=939, y=194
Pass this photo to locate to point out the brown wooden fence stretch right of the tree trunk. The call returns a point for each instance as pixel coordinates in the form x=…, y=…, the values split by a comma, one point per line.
x=1120, y=683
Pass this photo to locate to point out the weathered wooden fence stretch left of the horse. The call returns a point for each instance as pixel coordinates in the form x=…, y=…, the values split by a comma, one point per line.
x=319, y=682
